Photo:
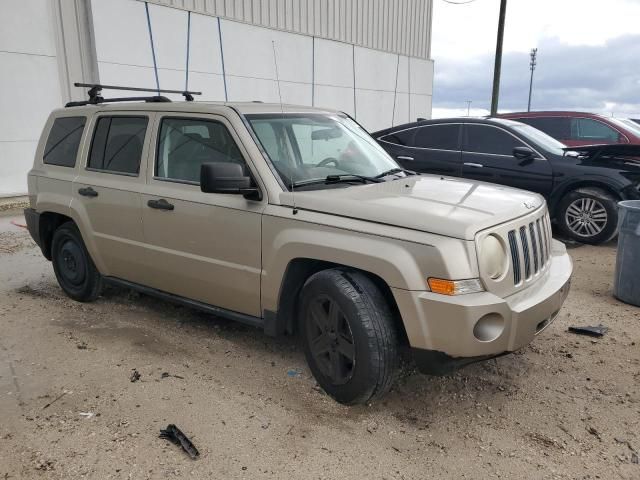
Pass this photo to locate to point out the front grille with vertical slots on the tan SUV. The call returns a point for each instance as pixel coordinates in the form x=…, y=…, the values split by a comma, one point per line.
x=530, y=245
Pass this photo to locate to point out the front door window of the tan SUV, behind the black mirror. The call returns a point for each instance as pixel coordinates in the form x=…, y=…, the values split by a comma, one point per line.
x=186, y=143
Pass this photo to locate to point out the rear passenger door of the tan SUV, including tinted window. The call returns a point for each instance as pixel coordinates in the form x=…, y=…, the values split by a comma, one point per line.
x=107, y=192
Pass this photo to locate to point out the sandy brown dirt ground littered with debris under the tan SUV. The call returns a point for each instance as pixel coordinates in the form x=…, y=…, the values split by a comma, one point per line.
x=567, y=406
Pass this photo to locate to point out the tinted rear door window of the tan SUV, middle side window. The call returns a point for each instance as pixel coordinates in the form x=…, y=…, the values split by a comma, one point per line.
x=117, y=144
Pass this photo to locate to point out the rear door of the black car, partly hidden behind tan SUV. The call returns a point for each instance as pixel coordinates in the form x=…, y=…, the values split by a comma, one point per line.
x=427, y=148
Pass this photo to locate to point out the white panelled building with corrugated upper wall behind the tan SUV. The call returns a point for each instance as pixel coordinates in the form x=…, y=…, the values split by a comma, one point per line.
x=369, y=58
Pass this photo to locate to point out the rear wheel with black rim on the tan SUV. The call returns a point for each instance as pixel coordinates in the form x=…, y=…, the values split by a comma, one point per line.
x=72, y=264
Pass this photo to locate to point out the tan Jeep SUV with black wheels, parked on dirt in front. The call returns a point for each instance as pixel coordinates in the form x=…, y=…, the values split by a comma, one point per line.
x=293, y=219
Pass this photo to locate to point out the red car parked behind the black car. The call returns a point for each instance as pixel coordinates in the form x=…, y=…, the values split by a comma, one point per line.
x=578, y=128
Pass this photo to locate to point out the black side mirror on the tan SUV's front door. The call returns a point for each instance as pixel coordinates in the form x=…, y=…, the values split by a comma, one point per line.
x=226, y=177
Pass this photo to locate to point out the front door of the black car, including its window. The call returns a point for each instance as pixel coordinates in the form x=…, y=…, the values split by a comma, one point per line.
x=487, y=155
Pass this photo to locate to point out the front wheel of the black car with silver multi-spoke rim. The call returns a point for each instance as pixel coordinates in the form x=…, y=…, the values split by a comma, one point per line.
x=588, y=215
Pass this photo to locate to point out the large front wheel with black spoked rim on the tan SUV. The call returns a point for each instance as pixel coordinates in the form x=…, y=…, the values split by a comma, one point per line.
x=356, y=356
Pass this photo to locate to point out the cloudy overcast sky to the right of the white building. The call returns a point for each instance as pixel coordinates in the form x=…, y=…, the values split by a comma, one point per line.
x=588, y=56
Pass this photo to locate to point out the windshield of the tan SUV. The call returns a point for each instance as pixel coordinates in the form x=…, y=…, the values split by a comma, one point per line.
x=305, y=148
